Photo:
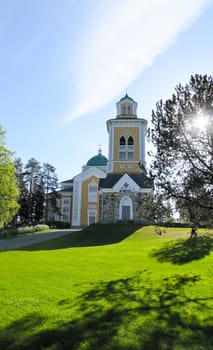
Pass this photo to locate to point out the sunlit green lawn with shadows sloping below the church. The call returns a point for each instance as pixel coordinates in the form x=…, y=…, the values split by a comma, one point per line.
x=109, y=287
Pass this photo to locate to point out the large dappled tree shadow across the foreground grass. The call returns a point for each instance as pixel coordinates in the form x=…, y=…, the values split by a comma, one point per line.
x=135, y=313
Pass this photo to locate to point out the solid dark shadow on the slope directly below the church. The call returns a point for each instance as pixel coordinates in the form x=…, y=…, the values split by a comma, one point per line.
x=93, y=235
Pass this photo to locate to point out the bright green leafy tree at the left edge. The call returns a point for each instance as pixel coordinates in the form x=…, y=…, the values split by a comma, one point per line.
x=8, y=186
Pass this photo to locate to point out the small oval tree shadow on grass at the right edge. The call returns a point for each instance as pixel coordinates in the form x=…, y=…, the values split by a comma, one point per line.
x=183, y=251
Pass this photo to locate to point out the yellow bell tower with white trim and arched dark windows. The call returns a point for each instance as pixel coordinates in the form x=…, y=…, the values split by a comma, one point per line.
x=126, y=138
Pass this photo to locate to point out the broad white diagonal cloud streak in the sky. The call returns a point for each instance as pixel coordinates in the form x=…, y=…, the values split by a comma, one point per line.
x=122, y=41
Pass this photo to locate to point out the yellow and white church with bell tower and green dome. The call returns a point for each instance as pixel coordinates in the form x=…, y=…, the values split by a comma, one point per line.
x=114, y=189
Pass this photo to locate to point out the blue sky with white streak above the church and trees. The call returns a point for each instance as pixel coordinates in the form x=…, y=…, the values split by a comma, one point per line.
x=64, y=64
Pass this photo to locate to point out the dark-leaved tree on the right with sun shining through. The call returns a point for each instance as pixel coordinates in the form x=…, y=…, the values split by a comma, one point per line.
x=182, y=133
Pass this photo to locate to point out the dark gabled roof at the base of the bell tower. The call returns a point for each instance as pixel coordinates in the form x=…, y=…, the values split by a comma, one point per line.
x=111, y=179
